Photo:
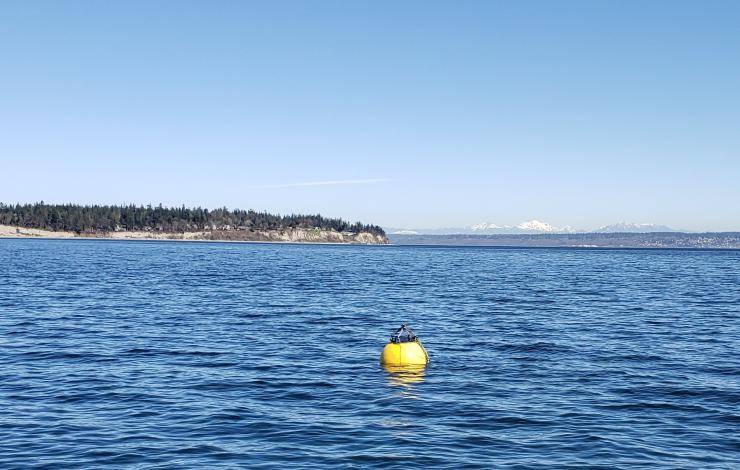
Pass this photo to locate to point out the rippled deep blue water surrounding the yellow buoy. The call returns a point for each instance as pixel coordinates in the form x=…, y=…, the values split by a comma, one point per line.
x=216, y=355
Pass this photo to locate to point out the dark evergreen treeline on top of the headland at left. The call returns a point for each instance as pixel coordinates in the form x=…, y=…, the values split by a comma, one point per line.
x=79, y=218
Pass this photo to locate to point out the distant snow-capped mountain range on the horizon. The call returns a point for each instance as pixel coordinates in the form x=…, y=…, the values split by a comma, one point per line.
x=533, y=227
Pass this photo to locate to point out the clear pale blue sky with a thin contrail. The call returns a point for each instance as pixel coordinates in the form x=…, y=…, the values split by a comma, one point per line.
x=404, y=114
